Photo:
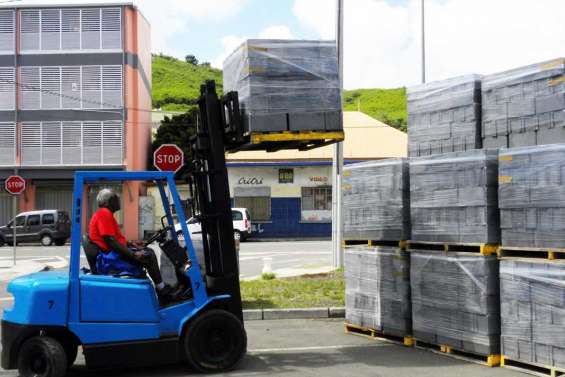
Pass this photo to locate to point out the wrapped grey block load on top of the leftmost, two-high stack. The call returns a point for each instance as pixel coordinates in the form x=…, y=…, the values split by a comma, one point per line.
x=376, y=200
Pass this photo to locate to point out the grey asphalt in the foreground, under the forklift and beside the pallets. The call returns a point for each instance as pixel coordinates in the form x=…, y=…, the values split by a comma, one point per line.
x=297, y=348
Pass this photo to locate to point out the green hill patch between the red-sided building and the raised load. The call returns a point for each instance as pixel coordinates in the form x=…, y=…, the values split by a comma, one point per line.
x=176, y=84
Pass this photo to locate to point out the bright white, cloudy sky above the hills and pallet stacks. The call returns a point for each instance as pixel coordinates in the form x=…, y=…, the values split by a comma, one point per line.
x=382, y=37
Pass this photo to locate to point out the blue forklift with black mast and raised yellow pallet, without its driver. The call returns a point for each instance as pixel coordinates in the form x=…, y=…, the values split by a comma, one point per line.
x=117, y=320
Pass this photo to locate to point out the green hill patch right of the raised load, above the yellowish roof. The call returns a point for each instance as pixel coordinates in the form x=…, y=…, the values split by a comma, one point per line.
x=386, y=105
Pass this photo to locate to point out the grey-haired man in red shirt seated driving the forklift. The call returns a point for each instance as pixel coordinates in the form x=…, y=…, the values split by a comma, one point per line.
x=105, y=232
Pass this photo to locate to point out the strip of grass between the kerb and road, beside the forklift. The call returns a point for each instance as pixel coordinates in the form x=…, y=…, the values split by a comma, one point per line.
x=320, y=290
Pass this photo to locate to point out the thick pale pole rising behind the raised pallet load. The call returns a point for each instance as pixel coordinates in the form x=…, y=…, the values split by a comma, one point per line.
x=337, y=163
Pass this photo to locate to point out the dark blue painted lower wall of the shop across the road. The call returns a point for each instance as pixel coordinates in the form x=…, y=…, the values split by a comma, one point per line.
x=285, y=222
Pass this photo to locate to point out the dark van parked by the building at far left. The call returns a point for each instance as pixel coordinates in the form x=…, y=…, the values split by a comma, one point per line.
x=47, y=227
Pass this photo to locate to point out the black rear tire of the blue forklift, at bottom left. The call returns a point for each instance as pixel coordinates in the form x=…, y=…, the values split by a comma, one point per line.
x=42, y=356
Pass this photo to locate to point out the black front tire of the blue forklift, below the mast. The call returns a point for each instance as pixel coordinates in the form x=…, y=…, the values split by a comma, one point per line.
x=215, y=341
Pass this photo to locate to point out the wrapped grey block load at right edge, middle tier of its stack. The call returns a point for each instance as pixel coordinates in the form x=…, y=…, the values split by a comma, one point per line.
x=532, y=196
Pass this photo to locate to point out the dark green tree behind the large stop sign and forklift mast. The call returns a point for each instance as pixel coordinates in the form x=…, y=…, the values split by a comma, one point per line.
x=177, y=130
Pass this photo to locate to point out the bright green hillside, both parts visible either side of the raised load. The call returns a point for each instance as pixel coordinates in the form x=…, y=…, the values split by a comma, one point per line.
x=176, y=86
